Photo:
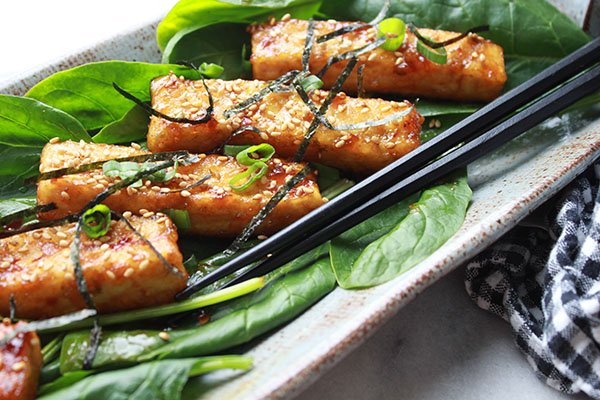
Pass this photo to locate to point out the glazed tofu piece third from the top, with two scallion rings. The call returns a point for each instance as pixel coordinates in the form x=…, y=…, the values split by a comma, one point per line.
x=214, y=208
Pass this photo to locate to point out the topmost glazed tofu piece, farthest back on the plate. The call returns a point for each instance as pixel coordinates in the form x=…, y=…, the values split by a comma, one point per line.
x=474, y=70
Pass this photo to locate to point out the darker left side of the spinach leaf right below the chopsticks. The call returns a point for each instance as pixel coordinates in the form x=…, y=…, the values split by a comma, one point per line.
x=346, y=248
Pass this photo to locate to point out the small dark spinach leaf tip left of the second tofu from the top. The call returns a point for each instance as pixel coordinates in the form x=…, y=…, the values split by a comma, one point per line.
x=132, y=127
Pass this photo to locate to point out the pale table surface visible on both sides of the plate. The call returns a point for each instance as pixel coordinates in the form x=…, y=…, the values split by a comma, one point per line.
x=440, y=346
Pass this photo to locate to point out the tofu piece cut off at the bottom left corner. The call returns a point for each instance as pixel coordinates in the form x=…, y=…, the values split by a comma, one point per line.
x=20, y=363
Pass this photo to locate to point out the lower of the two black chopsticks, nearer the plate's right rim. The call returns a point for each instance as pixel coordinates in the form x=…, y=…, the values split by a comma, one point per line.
x=565, y=96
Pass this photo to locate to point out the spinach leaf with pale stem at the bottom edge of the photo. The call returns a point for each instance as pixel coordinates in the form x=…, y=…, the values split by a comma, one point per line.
x=154, y=380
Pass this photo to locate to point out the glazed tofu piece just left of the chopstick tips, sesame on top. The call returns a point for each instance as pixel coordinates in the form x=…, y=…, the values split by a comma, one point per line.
x=121, y=271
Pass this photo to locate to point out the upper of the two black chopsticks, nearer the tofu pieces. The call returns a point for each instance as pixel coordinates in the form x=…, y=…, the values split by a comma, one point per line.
x=485, y=118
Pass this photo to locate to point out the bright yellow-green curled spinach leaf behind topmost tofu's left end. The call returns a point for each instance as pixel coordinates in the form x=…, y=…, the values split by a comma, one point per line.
x=188, y=32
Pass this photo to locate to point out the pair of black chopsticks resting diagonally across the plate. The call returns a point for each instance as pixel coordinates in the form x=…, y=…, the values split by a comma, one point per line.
x=500, y=121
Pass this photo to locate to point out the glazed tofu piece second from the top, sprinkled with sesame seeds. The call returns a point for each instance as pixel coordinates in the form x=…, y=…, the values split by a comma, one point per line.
x=282, y=119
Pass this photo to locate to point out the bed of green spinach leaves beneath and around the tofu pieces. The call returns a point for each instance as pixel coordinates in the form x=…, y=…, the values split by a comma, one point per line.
x=81, y=102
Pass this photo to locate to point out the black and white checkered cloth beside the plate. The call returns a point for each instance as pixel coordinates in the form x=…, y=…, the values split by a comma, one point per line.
x=545, y=281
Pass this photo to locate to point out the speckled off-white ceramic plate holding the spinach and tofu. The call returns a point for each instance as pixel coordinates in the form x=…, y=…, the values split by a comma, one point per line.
x=508, y=185
